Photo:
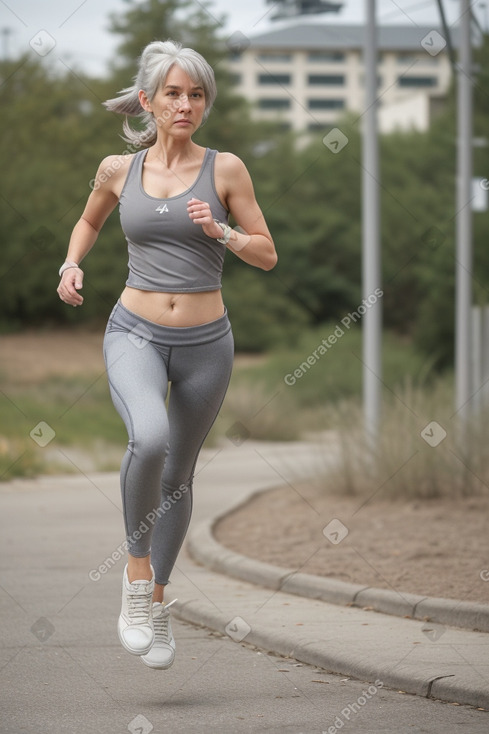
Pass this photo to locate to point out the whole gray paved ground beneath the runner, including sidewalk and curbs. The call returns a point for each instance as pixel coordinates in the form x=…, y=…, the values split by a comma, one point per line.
x=255, y=650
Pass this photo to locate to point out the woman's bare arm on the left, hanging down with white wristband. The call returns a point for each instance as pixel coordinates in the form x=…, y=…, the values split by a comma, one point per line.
x=101, y=202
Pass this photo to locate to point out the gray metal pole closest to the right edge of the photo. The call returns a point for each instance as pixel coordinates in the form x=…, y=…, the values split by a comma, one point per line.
x=463, y=275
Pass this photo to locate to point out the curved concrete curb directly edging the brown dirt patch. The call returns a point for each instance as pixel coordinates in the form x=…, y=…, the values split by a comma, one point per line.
x=204, y=548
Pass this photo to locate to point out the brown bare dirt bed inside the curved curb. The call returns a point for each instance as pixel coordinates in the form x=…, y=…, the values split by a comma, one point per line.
x=432, y=548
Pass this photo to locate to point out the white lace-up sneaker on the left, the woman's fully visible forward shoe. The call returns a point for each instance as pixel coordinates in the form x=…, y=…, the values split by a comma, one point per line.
x=135, y=625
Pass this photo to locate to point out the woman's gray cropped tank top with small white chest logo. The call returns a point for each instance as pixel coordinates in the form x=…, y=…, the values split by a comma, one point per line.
x=167, y=251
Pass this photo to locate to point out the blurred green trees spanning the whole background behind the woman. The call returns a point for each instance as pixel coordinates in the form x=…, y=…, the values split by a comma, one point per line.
x=54, y=132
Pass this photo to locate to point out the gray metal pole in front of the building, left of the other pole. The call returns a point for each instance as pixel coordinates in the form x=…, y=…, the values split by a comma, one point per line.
x=371, y=261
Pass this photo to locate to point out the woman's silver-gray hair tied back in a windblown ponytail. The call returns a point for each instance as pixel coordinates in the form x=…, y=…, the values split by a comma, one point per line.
x=155, y=62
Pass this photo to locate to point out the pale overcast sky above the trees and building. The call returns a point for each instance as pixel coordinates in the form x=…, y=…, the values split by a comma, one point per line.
x=75, y=31
